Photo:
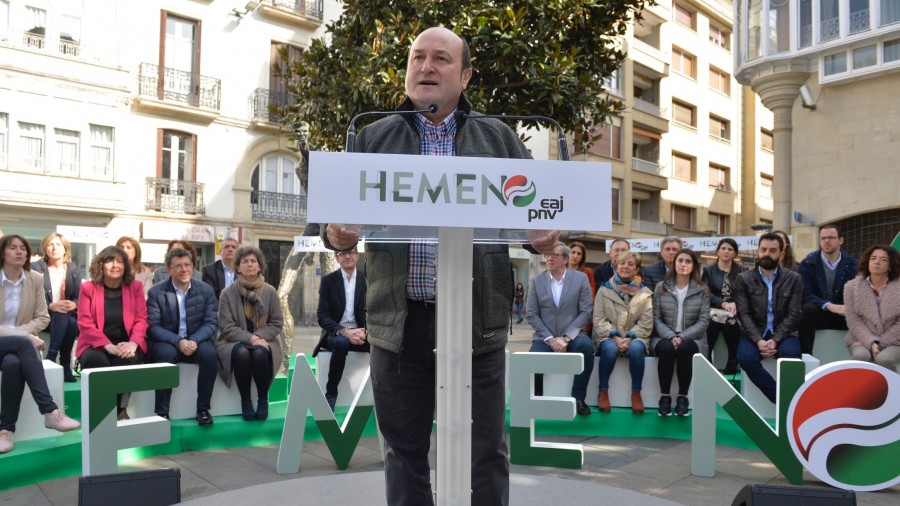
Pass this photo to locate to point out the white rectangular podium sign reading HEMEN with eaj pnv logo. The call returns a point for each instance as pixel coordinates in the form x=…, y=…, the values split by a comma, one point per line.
x=450, y=191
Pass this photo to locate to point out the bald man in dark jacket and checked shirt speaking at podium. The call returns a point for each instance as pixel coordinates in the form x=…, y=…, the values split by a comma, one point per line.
x=402, y=285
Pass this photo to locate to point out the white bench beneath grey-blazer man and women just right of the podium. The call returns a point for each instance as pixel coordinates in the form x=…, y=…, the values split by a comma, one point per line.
x=619, y=385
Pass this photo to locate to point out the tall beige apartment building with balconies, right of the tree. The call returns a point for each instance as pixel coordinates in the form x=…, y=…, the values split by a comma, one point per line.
x=691, y=155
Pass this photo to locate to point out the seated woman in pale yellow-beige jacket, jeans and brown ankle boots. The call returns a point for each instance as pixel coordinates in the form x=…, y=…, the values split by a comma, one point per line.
x=623, y=322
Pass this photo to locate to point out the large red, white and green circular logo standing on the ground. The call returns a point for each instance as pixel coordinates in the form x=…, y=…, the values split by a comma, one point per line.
x=844, y=425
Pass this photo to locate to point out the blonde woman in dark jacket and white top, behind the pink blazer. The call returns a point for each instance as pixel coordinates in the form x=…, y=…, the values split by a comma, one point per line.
x=62, y=286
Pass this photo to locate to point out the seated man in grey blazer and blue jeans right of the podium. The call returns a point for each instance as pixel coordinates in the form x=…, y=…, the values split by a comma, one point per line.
x=559, y=307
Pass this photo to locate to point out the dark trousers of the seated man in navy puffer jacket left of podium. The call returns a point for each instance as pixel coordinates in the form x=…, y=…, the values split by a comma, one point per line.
x=205, y=357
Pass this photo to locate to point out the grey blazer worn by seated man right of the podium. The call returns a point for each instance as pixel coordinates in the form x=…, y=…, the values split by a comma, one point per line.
x=573, y=313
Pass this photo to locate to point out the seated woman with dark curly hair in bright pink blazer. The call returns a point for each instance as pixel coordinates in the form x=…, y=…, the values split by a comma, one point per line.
x=112, y=316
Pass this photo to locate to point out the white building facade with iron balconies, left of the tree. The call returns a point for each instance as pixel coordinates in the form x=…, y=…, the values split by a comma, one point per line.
x=151, y=119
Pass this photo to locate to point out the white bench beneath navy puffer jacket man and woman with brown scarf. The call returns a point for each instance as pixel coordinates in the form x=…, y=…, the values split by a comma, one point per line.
x=183, y=404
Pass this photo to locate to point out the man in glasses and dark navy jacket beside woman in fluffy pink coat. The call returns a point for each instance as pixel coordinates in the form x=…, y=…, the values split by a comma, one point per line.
x=824, y=273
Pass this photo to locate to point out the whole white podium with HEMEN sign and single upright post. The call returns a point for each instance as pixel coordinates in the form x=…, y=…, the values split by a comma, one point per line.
x=407, y=197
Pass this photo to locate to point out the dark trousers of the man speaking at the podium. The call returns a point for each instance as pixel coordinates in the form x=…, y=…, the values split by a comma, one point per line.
x=404, y=388
